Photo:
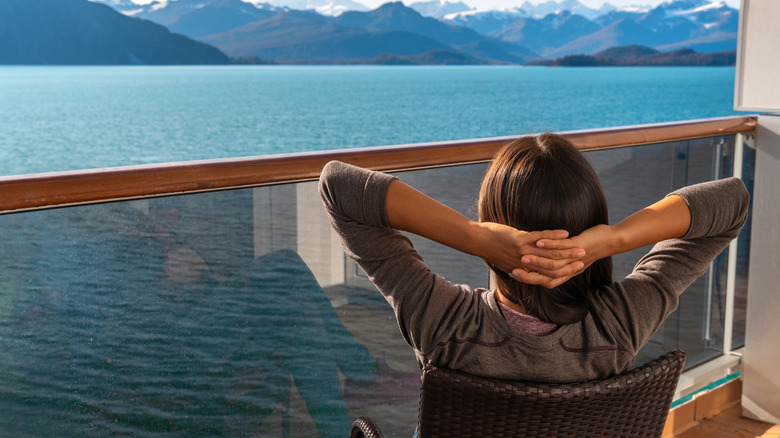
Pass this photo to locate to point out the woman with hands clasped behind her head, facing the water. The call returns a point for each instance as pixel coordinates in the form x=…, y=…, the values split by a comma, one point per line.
x=555, y=315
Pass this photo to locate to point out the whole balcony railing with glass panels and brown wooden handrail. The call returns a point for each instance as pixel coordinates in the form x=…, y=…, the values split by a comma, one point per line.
x=213, y=297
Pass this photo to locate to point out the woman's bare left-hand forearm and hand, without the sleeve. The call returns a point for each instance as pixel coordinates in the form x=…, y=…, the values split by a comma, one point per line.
x=410, y=210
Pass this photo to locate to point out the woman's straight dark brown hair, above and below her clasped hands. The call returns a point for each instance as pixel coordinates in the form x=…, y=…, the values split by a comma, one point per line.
x=544, y=183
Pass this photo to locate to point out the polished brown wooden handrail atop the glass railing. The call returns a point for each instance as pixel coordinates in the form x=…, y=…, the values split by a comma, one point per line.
x=27, y=192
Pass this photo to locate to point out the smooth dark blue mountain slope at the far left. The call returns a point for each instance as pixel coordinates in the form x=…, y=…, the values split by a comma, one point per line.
x=79, y=32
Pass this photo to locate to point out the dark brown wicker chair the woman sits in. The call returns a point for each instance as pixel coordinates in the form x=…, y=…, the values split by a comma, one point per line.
x=632, y=404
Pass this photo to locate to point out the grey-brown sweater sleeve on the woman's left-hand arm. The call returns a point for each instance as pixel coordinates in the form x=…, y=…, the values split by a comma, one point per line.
x=427, y=306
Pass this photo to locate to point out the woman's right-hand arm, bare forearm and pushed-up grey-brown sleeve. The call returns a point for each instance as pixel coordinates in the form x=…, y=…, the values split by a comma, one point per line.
x=691, y=227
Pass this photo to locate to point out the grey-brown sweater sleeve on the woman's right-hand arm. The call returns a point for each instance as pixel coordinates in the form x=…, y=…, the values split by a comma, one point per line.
x=637, y=305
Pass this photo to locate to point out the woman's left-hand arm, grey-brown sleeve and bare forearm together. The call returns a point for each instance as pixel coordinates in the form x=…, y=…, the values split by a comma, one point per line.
x=368, y=208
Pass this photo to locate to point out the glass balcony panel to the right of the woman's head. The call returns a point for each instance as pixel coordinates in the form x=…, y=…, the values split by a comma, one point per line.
x=637, y=176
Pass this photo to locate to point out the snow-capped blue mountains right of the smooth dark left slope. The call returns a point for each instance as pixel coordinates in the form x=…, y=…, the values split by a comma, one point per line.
x=282, y=33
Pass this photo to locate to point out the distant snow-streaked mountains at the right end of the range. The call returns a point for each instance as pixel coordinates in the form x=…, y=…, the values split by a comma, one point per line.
x=705, y=26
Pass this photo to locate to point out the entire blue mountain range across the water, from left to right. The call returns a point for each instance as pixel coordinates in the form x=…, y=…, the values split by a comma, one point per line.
x=343, y=31
